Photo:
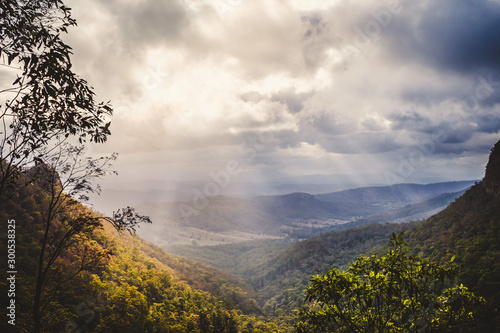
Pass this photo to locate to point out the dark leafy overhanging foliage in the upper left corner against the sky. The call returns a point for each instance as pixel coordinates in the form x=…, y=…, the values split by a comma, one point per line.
x=46, y=99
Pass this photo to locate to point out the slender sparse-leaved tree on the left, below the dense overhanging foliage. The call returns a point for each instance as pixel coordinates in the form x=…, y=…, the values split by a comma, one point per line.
x=68, y=178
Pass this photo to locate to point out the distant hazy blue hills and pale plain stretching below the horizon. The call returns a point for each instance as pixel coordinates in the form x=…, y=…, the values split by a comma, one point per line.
x=299, y=215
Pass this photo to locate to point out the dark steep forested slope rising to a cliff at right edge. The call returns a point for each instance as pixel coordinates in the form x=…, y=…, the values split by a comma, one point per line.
x=468, y=229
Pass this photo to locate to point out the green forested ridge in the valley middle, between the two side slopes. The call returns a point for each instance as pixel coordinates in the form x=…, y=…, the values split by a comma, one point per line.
x=280, y=272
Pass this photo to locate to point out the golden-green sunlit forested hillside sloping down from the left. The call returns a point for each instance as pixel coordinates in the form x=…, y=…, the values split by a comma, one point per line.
x=105, y=281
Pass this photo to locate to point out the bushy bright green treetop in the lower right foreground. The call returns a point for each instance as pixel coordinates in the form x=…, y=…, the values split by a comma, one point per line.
x=394, y=293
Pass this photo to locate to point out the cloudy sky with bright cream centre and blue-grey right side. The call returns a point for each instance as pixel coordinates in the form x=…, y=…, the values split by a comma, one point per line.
x=380, y=92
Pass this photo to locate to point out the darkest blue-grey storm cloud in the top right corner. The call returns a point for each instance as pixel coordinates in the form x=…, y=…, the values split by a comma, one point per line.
x=459, y=35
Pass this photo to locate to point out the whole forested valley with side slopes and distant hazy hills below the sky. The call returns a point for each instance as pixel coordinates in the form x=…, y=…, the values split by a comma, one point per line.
x=249, y=260
